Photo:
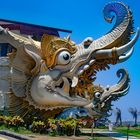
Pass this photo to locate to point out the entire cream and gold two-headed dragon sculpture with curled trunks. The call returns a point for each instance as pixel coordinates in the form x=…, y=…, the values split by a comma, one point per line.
x=54, y=74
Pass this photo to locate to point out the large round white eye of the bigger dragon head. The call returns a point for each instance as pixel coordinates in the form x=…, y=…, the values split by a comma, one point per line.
x=64, y=57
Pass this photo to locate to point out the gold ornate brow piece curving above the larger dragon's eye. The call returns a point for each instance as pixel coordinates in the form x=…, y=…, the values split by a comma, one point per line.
x=52, y=45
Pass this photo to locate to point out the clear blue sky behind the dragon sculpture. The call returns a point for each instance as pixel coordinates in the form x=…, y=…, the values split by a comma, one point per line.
x=84, y=18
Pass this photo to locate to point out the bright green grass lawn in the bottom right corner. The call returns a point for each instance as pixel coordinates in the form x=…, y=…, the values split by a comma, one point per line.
x=133, y=131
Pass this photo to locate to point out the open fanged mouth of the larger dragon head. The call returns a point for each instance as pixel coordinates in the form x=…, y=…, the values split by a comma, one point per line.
x=79, y=86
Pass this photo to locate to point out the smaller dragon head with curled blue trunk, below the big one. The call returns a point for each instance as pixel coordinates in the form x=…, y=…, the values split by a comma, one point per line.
x=103, y=96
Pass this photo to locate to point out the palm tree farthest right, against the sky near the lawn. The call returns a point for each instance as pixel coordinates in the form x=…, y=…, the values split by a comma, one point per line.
x=134, y=112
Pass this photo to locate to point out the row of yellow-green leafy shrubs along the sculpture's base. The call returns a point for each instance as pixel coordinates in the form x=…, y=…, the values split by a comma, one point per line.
x=56, y=127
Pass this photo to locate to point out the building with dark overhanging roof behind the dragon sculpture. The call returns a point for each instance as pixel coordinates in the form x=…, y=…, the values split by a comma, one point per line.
x=25, y=29
